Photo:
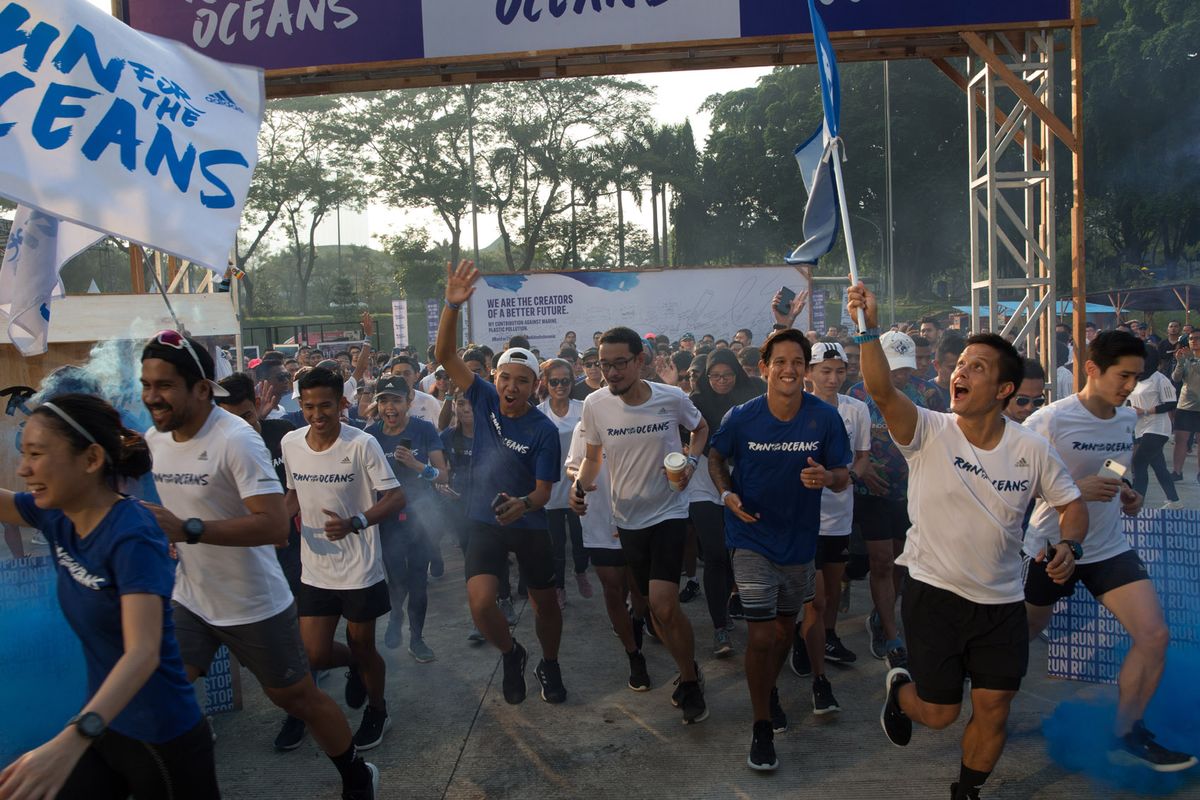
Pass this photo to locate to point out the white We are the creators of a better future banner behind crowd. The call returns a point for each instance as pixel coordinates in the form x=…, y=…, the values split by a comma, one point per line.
x=544, y=306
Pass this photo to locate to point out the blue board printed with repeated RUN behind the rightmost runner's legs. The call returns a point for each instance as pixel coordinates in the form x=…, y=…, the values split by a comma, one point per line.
x=1088, y=643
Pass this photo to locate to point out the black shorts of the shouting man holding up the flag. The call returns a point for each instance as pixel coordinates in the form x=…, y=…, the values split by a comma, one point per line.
x=951, y=637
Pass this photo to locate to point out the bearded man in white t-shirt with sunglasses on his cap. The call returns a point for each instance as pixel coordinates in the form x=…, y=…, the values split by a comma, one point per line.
x=223, y=508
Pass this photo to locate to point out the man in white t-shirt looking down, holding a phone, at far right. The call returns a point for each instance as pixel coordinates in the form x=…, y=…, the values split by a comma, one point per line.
x=1089, y=430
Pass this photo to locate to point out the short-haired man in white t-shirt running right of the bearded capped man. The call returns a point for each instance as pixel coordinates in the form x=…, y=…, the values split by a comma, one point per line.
x=335, y=476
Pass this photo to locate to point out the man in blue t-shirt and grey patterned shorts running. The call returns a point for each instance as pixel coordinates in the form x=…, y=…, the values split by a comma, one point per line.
x=787, y=447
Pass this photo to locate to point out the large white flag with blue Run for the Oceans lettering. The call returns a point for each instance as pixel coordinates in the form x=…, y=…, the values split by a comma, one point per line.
x=130, y=135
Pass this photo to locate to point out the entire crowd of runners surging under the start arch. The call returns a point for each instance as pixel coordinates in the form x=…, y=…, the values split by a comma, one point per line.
x=313, y=491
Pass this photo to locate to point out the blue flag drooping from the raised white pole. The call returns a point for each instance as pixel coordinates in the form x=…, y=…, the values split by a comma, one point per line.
x=815, y=158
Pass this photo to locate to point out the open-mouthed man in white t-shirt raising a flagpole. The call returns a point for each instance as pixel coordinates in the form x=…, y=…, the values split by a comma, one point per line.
x=971, y=477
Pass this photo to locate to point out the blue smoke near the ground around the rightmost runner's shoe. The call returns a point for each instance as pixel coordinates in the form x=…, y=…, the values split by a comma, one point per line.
x=1079, y=735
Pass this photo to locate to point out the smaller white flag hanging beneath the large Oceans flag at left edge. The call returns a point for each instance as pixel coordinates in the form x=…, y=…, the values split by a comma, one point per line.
x=39, y=245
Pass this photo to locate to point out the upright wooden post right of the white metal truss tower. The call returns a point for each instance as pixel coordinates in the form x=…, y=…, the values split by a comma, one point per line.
x=1078, y=270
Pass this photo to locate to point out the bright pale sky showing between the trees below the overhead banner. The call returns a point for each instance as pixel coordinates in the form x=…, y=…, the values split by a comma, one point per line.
x=679, y=97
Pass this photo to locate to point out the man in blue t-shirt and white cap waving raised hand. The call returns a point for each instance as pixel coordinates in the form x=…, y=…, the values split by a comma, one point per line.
x=515, y=462
